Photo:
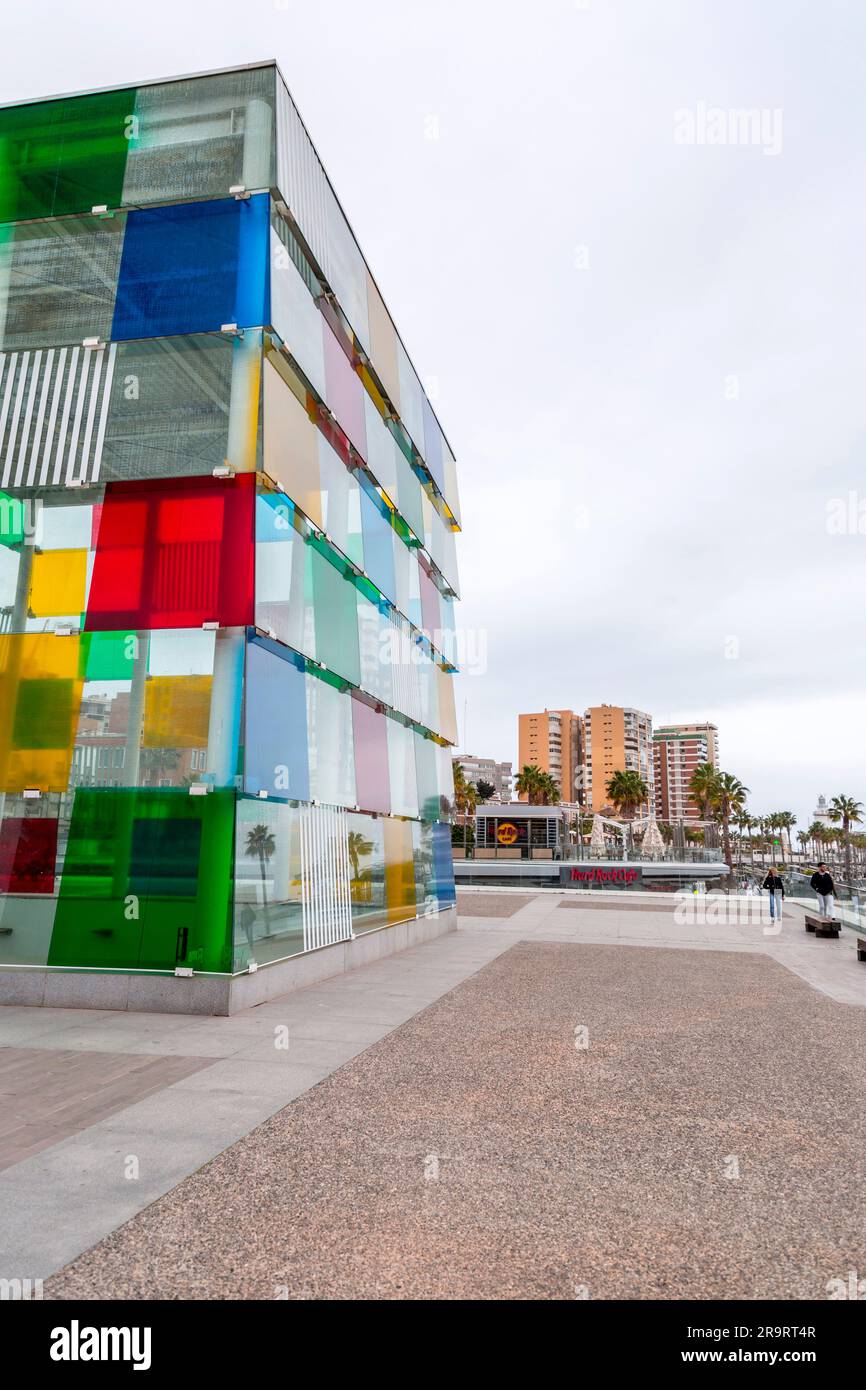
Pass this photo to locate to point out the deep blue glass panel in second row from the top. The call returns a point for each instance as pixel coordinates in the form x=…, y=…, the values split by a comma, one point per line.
x=194, y=268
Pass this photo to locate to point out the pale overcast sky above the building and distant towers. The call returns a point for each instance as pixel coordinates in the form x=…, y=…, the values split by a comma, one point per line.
x=647, y=354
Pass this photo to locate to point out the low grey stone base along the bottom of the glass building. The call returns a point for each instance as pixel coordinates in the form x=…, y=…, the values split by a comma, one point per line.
x=216, y=995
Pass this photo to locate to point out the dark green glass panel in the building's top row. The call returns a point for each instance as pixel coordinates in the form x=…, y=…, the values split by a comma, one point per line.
x=65, y=156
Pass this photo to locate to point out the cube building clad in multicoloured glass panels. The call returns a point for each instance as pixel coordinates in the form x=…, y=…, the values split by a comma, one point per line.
x=227, y=557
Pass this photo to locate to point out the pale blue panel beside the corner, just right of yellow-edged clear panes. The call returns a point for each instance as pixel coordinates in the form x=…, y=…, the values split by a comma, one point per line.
x=276, y=718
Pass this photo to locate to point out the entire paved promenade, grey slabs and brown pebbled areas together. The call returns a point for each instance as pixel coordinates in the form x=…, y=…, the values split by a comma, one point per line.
x=707, y=1143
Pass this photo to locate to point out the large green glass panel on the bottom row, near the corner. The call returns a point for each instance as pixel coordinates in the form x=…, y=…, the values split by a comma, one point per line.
x=147, y=882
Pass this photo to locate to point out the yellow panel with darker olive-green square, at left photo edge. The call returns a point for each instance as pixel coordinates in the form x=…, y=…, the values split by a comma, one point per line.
x=40, y=705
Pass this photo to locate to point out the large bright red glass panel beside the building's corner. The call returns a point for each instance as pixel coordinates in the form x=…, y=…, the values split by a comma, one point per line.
x=174, y=554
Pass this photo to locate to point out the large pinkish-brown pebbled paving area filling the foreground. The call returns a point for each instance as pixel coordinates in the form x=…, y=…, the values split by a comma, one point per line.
x=572, y=1121
